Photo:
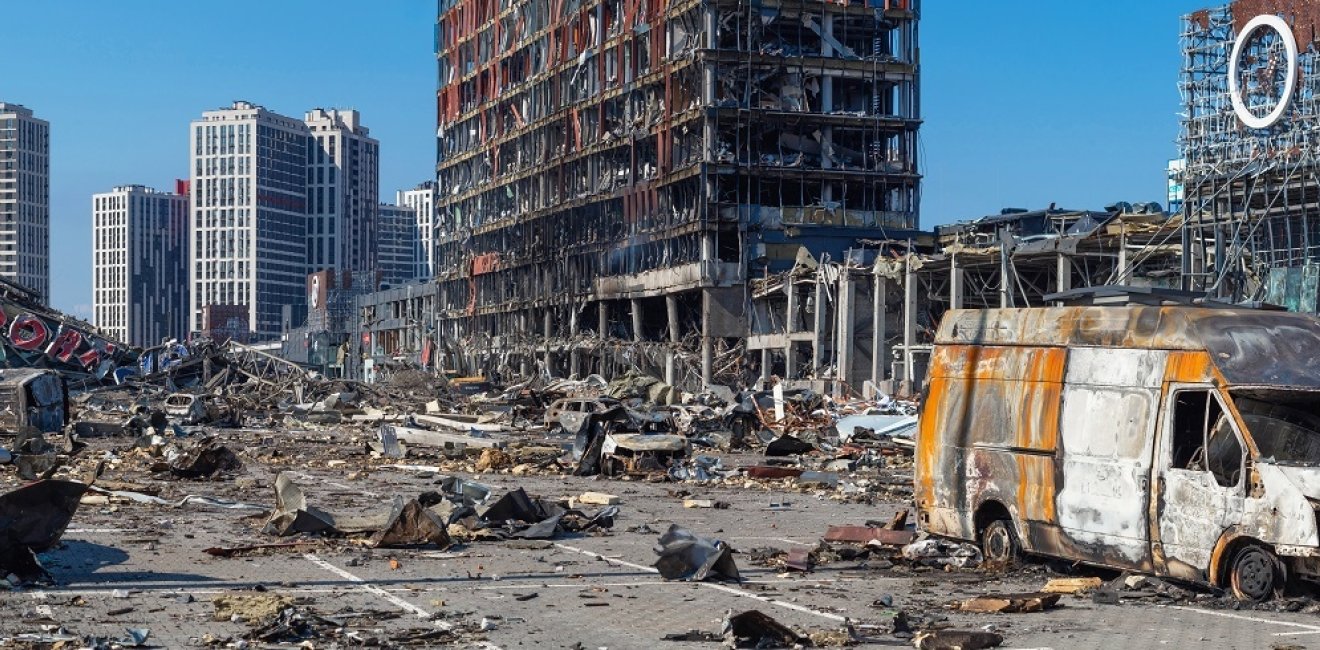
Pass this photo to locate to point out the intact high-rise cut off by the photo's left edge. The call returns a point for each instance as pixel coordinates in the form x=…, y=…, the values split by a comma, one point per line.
x=26, y=199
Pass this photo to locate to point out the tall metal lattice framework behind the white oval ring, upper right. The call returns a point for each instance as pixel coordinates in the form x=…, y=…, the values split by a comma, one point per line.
x=1252, y=207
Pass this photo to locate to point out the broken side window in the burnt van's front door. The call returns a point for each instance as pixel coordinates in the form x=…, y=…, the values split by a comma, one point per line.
x=1204, y=438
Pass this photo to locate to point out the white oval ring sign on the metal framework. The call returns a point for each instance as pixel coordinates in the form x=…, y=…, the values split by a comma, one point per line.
x=1256, y=56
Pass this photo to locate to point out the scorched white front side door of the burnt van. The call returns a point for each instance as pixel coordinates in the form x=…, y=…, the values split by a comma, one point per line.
x=1199, y=480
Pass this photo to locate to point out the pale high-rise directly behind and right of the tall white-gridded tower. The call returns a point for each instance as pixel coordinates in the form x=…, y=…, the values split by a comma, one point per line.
x=344, y=170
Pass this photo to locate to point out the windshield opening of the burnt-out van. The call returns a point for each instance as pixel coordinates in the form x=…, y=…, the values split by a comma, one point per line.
x=1285, y=425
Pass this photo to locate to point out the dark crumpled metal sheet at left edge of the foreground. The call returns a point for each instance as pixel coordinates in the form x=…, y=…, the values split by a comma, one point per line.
x=32, y=520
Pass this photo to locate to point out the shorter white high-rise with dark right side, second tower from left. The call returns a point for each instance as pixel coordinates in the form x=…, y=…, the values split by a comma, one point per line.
x=141, y=265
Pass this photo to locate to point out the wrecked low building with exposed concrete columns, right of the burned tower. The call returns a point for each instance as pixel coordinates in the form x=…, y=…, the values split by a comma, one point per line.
x=871, y=316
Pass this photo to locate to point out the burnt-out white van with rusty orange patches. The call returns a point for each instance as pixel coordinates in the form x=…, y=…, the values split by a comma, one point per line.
x=1182, y=442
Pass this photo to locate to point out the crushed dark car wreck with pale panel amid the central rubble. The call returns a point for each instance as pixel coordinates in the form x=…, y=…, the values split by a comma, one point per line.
x=621, y=441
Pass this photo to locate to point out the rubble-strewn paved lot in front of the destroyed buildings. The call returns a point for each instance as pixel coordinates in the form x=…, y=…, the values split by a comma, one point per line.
x=267, y=493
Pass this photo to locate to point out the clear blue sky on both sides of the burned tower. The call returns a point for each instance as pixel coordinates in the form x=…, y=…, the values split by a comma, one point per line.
x=1025, y=104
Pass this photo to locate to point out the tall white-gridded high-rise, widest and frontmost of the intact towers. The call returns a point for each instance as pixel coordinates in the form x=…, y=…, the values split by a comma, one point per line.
x=249, y=254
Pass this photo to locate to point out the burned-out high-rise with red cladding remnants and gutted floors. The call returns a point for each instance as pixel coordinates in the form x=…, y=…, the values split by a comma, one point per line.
x=612, y=174
